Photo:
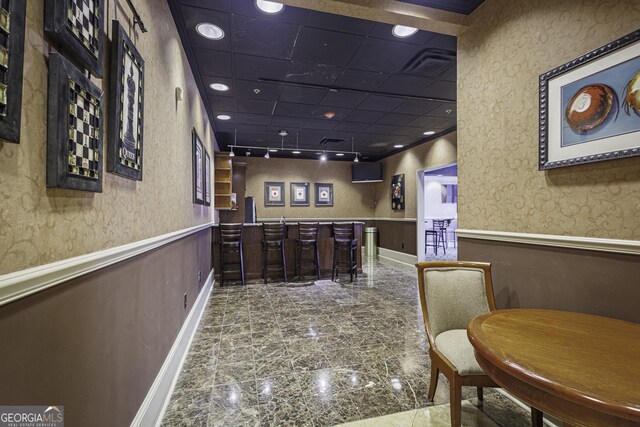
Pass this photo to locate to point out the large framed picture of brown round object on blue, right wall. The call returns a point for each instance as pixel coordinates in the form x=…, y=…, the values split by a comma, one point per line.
x=590, y=107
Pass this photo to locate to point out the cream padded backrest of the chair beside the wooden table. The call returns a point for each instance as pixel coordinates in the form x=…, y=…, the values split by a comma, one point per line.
x=453, y=293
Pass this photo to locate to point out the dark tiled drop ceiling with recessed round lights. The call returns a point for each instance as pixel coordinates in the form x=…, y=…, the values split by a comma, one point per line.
x=290, y=70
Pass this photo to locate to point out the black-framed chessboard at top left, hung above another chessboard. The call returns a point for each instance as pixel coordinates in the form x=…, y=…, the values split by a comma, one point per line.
x=78, y=25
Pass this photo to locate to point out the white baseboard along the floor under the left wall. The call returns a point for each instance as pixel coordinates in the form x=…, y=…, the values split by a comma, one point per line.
x=155, y=403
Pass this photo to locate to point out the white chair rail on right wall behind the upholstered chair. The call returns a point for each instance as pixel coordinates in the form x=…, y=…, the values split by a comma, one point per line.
x=631, y=247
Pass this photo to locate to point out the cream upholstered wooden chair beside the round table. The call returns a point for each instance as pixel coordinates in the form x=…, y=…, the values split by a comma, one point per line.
x=451, y=294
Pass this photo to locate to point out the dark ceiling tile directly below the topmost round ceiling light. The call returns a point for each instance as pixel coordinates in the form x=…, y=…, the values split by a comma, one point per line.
x=262, y=37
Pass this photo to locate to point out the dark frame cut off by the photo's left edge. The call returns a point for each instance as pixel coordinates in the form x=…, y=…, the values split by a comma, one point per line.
x=12, y=19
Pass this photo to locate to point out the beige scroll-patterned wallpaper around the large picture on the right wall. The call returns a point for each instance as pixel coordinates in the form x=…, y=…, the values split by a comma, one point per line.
x=508, y=45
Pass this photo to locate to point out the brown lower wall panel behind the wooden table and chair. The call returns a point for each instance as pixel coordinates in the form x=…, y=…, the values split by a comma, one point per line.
x=533, y=276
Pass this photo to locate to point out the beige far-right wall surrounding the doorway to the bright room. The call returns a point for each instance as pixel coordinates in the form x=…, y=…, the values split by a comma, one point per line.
x=438, y=152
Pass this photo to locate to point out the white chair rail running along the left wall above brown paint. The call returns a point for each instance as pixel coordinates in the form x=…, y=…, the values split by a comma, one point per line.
x=14, y=286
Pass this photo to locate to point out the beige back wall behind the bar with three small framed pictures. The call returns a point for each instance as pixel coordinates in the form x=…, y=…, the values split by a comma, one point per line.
x=349, y=200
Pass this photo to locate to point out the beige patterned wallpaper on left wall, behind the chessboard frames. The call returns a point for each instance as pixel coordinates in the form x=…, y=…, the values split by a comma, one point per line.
x=40, y=225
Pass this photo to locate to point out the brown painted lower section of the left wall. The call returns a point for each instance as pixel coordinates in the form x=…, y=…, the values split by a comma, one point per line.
x=96, y=343
